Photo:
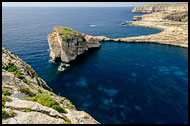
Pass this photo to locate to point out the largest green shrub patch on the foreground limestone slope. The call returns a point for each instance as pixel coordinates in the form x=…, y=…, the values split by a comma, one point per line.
x=47, y=101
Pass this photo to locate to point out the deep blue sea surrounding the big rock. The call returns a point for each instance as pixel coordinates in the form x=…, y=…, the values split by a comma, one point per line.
x=118, y=83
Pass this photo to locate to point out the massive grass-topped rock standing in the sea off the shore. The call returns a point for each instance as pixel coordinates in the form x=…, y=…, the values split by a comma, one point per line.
x=66, y=44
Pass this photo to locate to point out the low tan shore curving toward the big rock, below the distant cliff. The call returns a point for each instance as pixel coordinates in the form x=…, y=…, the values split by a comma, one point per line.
x=172, y=32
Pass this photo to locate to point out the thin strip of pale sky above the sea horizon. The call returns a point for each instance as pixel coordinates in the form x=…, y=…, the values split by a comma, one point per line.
x=78, y=4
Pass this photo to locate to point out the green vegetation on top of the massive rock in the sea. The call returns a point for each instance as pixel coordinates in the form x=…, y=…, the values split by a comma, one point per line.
x=66, y=32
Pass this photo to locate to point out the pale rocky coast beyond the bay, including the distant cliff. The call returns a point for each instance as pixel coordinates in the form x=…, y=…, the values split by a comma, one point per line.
x=173, y=23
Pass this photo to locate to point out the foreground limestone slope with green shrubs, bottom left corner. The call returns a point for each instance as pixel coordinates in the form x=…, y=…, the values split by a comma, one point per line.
x=27, y=99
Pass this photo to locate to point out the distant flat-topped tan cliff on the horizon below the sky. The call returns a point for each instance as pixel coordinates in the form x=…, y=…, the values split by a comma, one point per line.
x=161, y=7
